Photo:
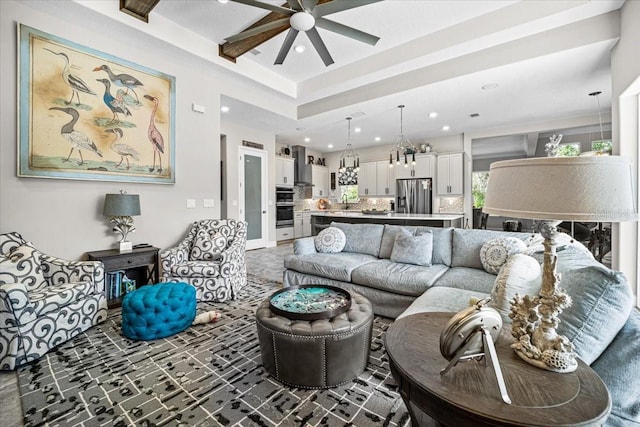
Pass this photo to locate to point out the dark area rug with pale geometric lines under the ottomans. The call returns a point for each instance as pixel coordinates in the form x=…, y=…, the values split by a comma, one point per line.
x=208, y=375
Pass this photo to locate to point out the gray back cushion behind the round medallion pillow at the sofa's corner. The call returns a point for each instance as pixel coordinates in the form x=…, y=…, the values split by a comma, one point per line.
x=468, y=243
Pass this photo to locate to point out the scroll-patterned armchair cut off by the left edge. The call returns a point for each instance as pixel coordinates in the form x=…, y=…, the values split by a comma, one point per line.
x=44, y=301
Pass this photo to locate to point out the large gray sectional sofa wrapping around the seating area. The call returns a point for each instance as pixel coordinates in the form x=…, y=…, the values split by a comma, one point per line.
x=602, y=322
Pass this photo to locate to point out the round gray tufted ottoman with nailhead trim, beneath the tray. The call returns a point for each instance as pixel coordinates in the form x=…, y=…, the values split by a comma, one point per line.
x=318, y=353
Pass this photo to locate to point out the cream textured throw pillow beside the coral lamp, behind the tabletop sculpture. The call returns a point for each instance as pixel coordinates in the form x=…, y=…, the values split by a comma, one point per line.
x=520, y=275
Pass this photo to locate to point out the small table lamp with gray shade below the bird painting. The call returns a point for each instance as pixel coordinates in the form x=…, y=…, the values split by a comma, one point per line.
x=120, y=208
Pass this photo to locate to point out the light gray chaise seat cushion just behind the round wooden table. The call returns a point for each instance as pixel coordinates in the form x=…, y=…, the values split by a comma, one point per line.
x=442, y=299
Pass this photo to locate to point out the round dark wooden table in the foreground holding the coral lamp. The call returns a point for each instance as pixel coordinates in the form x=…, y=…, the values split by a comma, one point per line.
x=468, y=394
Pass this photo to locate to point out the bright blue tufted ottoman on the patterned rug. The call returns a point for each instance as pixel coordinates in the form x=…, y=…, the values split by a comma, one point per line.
x=158, y=311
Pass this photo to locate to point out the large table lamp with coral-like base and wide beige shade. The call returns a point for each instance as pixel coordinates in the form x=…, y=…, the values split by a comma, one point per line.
x=556, y=189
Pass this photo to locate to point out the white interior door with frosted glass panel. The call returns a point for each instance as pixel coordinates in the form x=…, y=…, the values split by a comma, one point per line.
x=253, y=195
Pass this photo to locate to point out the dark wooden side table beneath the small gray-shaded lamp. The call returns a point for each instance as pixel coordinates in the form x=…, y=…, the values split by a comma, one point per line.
x=141, y=265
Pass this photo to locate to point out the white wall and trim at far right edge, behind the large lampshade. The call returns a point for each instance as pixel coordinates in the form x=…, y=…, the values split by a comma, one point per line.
x=625, y=68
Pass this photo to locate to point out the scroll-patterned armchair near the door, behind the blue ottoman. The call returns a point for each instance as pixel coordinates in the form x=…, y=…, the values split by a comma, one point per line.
x=211, y=258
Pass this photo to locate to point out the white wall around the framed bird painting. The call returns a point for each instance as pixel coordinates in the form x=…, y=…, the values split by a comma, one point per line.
x=64, y=217
